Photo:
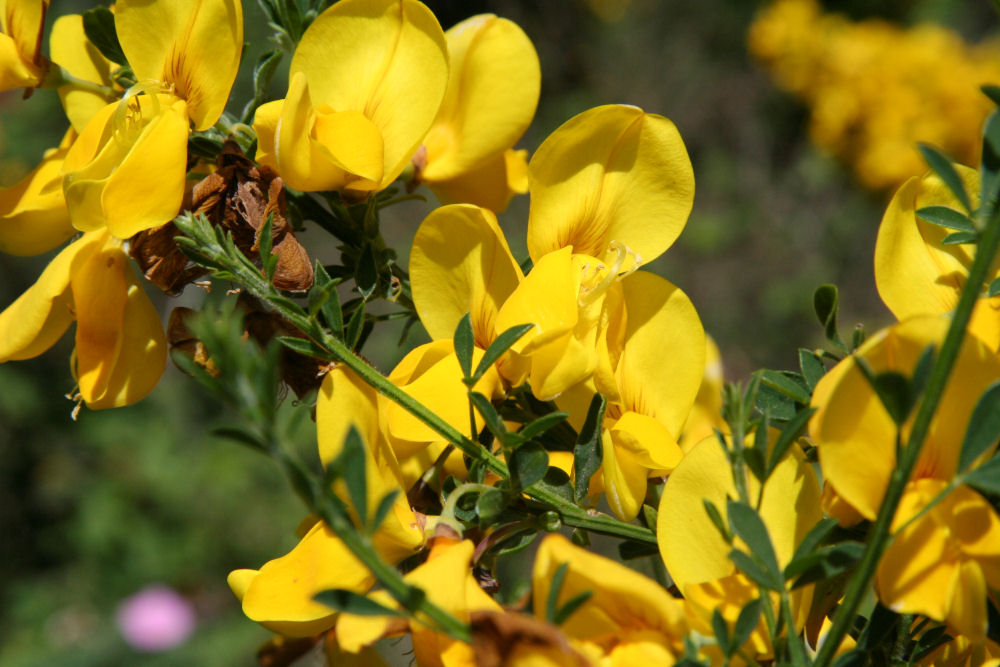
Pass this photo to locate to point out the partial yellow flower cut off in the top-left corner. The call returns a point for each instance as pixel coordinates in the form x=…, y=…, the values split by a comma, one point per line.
x=21, y=31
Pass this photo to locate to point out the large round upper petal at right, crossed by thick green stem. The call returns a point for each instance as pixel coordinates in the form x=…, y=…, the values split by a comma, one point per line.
x=852, y=422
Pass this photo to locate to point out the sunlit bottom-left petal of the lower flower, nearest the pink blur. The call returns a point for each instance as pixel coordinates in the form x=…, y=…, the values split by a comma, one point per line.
x=280, y=596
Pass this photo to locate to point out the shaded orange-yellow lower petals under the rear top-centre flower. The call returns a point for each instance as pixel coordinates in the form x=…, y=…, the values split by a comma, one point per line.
x=490, y=185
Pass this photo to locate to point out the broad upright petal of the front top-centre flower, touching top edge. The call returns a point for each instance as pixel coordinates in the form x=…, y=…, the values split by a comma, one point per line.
x=386, y=59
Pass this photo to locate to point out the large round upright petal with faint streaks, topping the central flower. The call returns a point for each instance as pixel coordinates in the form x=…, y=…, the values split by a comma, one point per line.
x=610, y=174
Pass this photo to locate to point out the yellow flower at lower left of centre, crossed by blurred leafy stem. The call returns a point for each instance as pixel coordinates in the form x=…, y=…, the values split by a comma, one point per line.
x=279, y=596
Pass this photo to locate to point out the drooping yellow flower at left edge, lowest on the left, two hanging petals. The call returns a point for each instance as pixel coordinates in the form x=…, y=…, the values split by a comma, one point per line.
x=120, y=348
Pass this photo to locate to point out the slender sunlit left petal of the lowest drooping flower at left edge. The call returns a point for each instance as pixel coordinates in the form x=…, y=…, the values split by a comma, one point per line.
x=40, y=316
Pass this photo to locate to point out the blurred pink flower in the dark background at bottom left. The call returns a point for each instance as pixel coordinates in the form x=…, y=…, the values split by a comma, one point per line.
x=155, y=619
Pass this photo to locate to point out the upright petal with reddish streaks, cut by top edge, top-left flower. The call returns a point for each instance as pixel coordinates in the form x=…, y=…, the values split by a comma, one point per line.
x=192, y=45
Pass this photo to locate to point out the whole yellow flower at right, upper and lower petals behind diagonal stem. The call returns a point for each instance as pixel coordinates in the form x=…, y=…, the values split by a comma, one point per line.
x=940, y=564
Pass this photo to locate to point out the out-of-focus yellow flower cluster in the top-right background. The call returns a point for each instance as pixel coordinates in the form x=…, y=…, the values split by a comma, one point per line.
x=875, y=89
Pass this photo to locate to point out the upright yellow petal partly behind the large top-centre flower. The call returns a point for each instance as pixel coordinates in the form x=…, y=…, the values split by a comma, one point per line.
x=493, y=86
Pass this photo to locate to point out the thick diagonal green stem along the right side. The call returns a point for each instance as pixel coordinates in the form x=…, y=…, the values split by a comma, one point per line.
x=879, y=536
